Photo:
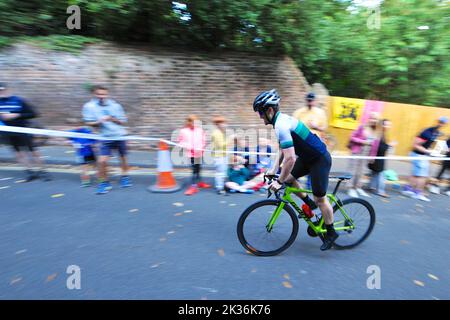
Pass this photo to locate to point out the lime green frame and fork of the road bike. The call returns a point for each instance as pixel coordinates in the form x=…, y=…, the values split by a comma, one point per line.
x=319, y=229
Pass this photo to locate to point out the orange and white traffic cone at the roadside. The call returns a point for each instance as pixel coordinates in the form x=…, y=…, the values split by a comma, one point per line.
x=165, y=181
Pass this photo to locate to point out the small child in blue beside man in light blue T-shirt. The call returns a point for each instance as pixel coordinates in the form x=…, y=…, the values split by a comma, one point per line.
x=85, y=152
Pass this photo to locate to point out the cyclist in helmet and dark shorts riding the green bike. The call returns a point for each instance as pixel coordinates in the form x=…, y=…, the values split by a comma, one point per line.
x=301, y=153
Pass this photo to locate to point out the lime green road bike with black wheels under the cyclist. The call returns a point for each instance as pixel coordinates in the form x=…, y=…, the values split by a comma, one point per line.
x=268, y=227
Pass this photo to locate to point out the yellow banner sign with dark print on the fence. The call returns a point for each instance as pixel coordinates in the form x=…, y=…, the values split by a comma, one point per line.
x=346, y=112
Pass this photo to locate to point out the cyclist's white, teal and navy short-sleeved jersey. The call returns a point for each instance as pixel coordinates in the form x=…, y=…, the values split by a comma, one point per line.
x=294, y=133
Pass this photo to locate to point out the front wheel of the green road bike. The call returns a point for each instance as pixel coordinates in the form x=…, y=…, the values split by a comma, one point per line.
x=258, y=238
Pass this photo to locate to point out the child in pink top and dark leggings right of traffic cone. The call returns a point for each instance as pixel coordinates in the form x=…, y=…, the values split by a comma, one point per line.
x=192, y=140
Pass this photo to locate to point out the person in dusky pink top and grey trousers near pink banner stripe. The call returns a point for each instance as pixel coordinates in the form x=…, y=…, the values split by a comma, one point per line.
x=360, y=144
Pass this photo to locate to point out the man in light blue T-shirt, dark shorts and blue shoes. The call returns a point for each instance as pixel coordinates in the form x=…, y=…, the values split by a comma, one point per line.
x=109, y=116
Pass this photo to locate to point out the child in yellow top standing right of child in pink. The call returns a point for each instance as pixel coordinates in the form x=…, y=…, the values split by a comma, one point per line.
x=219, y=143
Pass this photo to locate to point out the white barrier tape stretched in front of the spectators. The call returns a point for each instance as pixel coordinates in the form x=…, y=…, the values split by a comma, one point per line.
x=68, y=134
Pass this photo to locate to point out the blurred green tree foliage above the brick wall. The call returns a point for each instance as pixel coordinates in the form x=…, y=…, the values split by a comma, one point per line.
x=329, y=40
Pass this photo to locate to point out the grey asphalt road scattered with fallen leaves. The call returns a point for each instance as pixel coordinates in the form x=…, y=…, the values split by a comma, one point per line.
x=132, y=244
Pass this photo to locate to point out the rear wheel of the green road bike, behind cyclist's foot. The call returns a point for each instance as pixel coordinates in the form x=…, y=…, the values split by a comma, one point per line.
x=362, y=217
